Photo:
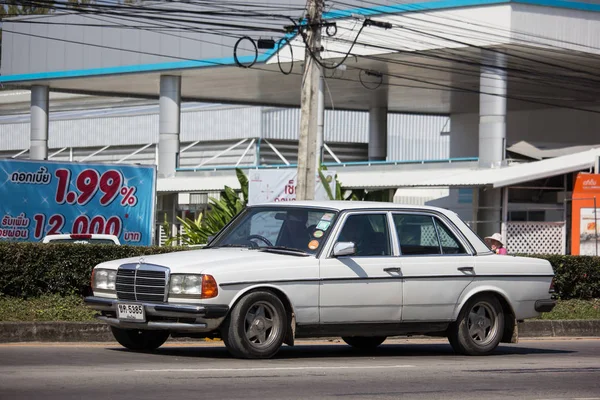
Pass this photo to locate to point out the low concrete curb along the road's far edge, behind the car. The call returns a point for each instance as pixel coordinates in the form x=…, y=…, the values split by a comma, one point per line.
x=12, y=332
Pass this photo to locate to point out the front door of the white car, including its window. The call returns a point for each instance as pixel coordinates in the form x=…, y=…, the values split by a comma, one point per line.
x=367, y=286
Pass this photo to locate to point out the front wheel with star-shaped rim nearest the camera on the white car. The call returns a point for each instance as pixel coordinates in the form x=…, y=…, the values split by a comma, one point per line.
x=256, y=326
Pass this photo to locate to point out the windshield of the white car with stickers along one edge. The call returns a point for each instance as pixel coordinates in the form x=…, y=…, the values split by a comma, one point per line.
x=293, y=228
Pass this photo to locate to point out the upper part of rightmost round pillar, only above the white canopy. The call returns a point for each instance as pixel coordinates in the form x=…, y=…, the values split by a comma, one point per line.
x=492, y=110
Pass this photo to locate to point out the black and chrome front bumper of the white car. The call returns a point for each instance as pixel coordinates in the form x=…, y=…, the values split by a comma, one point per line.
x=185, y=318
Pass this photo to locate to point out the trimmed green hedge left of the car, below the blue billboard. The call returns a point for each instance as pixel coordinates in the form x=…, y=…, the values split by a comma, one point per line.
x=35, y=269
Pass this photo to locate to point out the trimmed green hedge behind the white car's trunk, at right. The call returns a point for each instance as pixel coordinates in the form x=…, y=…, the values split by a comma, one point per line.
x=576, y=277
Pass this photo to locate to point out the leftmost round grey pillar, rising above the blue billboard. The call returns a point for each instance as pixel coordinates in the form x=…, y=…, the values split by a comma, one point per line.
x=38, y=147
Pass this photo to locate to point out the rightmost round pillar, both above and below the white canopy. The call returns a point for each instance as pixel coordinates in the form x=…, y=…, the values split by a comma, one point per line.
x=492, y=137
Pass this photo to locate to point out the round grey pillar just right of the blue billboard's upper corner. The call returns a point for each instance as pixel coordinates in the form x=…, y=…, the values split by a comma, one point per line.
x=169, y=125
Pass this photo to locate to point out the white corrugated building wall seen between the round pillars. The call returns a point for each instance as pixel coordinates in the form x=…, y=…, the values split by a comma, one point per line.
x=411, y=137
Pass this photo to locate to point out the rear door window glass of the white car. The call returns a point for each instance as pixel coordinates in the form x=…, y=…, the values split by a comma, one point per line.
x=425, y=235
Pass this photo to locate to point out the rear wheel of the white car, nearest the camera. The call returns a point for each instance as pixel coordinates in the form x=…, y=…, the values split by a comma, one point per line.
x=479, y=327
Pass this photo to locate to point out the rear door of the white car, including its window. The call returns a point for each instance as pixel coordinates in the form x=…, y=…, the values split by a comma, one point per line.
x=436, y=267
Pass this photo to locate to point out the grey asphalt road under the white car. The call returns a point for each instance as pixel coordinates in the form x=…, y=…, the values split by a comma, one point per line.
x=406, y=369
